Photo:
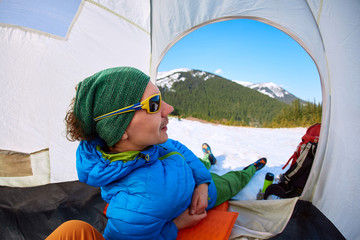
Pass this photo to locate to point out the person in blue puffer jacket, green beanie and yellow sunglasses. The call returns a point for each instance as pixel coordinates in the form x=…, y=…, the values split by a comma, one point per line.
x=155, y=186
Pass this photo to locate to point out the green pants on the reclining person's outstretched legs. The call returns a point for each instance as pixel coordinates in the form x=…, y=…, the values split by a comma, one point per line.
x=229, y=184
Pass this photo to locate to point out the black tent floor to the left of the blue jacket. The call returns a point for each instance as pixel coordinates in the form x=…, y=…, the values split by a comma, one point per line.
x=34, y=212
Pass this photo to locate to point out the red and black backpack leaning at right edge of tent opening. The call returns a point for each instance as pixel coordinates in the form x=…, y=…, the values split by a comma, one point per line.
x=292, y=182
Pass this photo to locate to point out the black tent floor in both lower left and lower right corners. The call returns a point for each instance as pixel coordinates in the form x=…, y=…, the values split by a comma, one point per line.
x=34, y=212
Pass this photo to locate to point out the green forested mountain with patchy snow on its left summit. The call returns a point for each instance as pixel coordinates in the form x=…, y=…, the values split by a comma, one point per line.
x=217, y=99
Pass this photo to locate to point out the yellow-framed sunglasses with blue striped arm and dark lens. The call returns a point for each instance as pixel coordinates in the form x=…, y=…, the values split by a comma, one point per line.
x=151, y=104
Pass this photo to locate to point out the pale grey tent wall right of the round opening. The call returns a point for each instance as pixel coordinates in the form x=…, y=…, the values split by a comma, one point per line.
x=336, y=190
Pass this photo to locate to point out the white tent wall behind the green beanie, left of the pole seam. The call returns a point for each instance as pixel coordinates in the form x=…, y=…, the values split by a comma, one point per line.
x=39, y=74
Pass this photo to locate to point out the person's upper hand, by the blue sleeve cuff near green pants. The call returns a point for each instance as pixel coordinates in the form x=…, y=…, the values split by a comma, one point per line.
x=199, y=201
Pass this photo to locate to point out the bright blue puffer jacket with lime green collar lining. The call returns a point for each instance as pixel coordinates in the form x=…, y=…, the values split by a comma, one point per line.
x=146, y=193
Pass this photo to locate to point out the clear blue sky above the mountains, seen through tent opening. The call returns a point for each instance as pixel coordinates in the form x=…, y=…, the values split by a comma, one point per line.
x=247, y=50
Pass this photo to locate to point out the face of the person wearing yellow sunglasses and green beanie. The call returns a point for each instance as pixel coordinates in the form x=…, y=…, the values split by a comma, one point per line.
x=147, y=129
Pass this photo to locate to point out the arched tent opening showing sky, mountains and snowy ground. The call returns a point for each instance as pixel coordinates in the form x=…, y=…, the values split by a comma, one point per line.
x=211, y=73
